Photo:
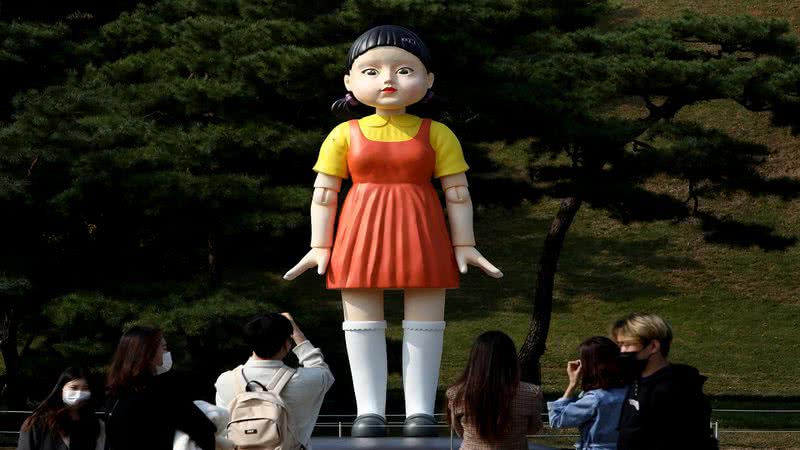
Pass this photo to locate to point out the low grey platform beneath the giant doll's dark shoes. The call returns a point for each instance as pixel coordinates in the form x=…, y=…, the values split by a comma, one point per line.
x=334, y=443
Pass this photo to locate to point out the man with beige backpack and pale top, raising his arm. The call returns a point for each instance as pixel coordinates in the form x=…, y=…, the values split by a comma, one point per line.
x=273, y=406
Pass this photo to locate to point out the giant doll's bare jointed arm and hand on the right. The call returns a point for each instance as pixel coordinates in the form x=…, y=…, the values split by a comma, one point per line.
x=459, y=211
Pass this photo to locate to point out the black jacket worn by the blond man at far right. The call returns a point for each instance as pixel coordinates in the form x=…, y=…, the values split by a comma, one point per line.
x=672, y=413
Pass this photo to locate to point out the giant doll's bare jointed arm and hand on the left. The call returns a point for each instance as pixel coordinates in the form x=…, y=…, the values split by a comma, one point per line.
x=323, y=217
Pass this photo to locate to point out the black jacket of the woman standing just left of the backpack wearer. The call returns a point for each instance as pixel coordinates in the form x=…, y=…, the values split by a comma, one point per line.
x=148, y=419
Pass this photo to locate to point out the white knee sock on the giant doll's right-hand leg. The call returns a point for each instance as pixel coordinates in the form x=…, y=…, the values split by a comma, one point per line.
x=422, y=354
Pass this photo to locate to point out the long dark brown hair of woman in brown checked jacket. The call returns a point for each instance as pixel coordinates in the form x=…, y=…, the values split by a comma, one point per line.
x=488, y=385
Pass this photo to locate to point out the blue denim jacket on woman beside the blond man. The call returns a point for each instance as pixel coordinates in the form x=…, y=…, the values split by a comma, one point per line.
x=595, y=413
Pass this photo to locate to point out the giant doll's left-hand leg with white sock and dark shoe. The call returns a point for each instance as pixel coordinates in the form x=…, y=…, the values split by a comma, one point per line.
x=365, y=338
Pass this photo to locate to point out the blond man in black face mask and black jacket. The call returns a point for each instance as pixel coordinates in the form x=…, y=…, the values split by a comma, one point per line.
x=665, y=407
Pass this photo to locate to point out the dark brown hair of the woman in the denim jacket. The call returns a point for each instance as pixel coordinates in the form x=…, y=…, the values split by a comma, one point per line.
x=600, y=365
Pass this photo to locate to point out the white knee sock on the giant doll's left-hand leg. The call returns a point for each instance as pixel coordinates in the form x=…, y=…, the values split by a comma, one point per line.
x=366, y=351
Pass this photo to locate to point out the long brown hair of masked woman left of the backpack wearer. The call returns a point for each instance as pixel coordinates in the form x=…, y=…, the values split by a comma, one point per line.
x=132, y=365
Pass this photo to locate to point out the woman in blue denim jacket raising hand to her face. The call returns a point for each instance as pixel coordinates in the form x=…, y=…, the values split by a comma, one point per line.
x=597, y=410
